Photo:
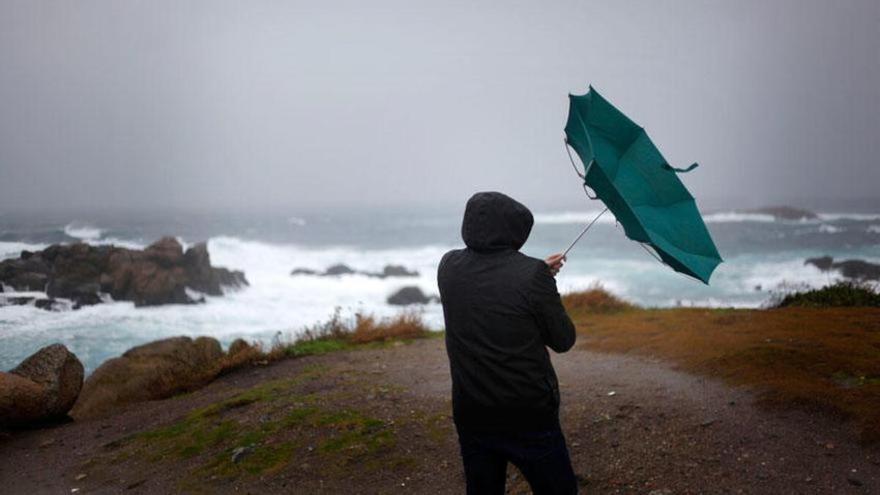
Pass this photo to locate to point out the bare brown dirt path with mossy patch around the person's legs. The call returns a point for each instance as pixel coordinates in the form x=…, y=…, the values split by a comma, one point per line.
x=377, y=421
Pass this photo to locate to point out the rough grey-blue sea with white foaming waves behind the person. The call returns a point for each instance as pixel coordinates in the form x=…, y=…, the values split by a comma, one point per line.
x=761, y=256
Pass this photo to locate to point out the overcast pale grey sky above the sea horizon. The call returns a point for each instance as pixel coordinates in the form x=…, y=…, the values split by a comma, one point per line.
x=258, y=104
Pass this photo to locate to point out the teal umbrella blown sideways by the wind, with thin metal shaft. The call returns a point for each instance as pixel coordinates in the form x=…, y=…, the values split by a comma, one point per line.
x=627, y=173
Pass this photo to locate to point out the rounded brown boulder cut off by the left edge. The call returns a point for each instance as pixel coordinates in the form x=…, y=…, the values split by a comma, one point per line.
x=42, y=388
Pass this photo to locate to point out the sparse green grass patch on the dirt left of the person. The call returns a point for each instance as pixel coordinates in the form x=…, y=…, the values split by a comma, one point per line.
x=287, y=421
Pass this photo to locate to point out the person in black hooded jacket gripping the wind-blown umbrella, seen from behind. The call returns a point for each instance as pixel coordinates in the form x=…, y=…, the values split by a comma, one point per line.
x=502, y=311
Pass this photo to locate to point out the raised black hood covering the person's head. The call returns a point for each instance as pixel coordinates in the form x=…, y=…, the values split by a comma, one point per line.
x=494, y=221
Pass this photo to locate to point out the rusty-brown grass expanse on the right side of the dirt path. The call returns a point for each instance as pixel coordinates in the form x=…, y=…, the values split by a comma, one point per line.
x=825, y=359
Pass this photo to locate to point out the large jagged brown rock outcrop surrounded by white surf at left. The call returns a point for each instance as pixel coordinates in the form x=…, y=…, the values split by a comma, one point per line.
x=162, y=273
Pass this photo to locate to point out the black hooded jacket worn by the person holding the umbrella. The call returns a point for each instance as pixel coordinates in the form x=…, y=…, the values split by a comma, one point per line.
x=501, y=309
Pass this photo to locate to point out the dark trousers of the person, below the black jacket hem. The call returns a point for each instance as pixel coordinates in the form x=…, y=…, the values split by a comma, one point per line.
x=541, y=457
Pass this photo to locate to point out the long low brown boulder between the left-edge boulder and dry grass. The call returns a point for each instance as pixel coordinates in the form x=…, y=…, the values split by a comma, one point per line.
x=151, y=371
